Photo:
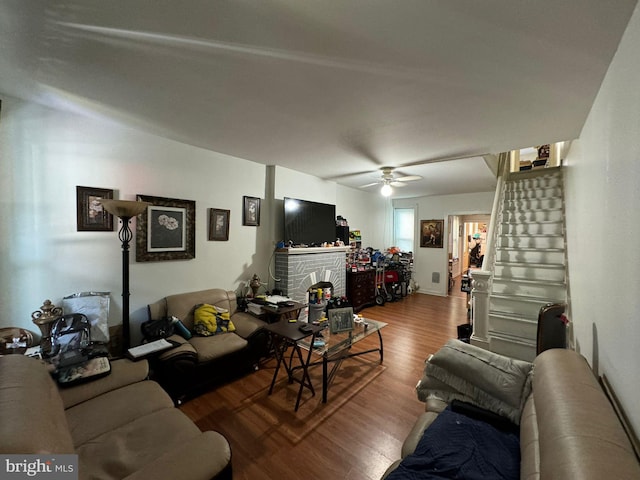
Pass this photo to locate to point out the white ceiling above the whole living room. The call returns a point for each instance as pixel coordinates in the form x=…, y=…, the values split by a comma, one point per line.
x=336, y=89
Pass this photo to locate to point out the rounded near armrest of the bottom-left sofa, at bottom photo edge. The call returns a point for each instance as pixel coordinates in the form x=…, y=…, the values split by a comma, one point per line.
x=201, y=458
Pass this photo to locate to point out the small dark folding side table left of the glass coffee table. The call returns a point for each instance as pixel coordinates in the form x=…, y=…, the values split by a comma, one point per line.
x=286, y=334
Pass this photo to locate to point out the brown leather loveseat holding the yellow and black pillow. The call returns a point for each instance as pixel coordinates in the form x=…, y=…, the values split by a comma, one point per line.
x=199, y=362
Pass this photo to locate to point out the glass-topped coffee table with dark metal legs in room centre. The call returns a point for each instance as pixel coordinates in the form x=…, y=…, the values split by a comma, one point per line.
x=338, y=347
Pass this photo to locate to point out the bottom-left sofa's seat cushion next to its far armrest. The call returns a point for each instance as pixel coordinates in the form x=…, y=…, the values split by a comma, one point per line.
x=114, y=409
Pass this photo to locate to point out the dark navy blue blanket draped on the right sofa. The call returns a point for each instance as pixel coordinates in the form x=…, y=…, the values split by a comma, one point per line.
x=458, y=447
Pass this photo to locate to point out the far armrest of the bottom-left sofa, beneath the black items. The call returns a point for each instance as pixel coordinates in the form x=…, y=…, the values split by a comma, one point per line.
x=123, y=372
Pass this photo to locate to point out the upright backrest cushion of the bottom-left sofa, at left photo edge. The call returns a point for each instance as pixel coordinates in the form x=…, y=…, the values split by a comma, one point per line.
x=32, y=413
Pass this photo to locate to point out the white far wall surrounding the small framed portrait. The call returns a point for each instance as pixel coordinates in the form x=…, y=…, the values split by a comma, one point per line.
x=430, y=260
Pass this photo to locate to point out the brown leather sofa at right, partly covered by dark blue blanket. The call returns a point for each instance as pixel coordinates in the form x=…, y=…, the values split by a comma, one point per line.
x=568, y=428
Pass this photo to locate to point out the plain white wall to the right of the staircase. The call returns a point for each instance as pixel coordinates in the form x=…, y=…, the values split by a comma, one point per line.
x=602, y=203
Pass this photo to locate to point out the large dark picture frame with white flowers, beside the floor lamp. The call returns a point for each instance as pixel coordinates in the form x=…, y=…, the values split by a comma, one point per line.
x=166, y=230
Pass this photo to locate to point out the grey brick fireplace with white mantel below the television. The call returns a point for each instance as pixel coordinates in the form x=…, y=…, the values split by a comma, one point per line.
x=297, y=269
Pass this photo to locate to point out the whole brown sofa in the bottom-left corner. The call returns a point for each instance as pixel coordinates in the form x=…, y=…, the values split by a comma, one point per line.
x=120, y=426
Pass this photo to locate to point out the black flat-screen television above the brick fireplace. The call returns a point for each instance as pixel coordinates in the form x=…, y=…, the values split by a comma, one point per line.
x=309, y=223
